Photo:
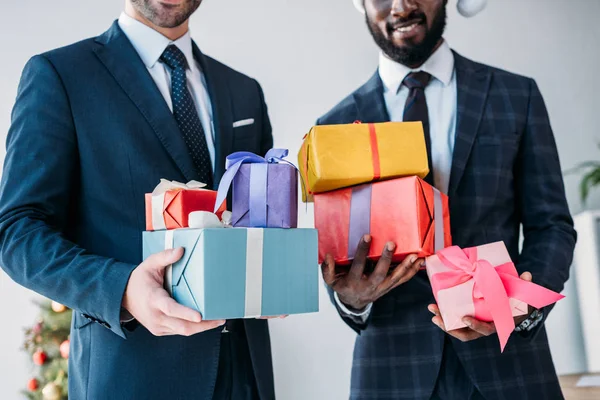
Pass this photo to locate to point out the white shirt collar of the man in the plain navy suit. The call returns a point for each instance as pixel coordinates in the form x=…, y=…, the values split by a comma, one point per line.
x=150, y=44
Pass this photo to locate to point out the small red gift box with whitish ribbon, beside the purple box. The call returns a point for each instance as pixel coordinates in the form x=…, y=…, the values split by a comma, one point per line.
x=169, y=209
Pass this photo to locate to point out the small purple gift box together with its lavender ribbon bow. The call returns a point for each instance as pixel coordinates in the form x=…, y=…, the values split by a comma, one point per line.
x=265, y=190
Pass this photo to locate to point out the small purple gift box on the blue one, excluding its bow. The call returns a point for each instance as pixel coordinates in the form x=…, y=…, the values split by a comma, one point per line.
x=265, y=196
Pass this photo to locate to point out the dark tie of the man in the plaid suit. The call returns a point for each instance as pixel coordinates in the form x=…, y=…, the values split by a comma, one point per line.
x=415, y=109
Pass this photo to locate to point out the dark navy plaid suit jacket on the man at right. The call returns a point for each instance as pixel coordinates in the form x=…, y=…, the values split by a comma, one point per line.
x=505, y=173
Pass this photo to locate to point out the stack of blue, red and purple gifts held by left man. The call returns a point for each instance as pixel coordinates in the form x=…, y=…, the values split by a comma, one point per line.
x=248, y=263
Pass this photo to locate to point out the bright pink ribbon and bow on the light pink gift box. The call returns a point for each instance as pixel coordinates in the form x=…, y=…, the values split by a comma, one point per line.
x=493, y=285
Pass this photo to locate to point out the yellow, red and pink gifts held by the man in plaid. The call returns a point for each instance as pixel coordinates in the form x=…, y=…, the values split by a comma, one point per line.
x=367, y=179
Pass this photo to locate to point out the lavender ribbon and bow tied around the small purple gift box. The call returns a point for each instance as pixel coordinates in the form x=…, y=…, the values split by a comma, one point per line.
x=258, y=180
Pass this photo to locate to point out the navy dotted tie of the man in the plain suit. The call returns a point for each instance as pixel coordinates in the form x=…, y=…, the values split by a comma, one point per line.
x=184, y=111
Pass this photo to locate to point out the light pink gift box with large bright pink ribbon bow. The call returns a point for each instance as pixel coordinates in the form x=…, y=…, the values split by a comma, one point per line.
x=482, y=282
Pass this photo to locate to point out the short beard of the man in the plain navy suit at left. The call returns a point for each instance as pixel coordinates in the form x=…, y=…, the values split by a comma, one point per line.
x=162, y=16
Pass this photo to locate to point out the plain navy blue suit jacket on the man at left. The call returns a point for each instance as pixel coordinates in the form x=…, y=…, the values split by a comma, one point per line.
x=90, y=135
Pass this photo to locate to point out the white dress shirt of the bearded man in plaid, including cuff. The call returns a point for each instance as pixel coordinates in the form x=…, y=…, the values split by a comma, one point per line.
x=441, y=95
